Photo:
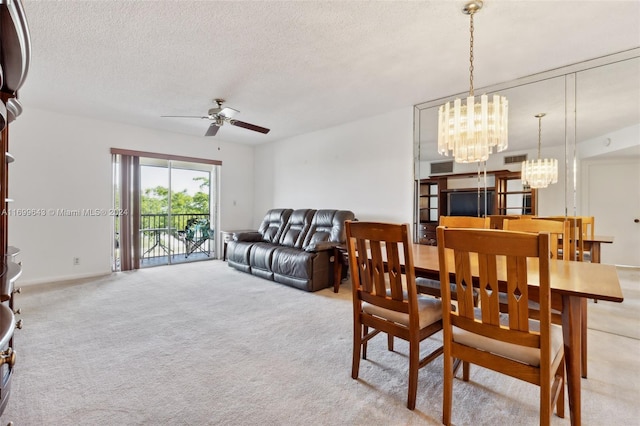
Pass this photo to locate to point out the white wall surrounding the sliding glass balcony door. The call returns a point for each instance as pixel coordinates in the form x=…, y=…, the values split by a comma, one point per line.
x=63, y=162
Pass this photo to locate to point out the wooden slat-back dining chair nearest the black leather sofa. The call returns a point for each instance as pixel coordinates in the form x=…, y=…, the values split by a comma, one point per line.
x=385, y=298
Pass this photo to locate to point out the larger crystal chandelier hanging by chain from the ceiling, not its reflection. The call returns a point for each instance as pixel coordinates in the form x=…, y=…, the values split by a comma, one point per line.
x=470, y=129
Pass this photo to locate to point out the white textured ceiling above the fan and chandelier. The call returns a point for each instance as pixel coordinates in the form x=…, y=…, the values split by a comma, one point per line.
x=296, y=66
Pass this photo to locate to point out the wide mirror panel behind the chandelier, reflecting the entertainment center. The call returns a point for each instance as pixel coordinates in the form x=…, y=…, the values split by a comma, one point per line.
x=526, y=100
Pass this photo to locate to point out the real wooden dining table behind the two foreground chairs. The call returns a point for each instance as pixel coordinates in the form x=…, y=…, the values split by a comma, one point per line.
x=571, y=284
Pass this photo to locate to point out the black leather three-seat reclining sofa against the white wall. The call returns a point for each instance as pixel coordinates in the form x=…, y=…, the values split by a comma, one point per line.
x=292, y=247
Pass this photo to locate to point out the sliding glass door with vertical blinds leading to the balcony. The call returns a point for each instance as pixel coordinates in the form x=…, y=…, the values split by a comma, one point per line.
x=169, y=210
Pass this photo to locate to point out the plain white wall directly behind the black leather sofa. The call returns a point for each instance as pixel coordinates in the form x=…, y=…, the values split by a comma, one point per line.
x=364, y=166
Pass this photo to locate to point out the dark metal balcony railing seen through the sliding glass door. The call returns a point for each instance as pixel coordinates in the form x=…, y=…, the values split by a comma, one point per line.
x=163, y=237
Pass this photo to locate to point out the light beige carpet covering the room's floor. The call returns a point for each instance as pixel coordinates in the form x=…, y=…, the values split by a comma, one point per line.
x=203, y=344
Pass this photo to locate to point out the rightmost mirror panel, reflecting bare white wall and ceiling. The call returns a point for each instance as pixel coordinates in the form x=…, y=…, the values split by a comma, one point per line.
x=608, y=141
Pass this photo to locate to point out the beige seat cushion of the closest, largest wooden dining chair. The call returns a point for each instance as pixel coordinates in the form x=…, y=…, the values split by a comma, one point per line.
x=524, y=354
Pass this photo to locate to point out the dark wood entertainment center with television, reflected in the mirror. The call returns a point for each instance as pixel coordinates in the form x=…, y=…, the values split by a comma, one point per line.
x=505, y=196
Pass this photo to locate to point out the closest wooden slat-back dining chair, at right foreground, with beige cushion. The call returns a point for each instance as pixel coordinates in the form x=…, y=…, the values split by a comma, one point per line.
x=509, y=343
